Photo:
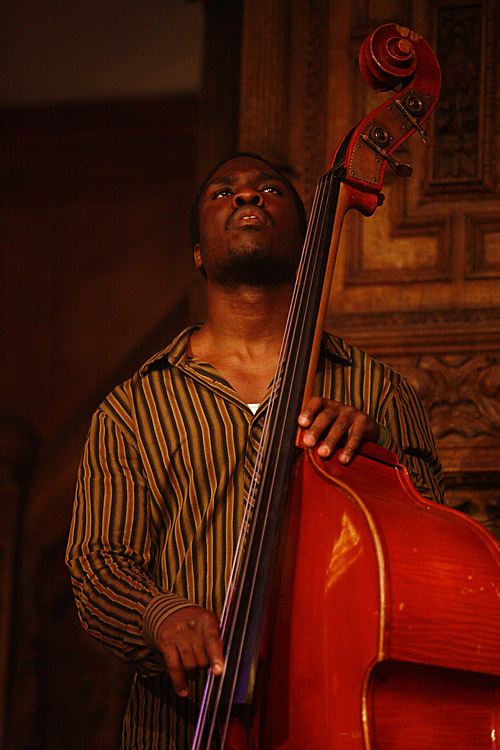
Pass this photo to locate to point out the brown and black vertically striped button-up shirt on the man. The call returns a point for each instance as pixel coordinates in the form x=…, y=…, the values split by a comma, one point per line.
x=160, y=498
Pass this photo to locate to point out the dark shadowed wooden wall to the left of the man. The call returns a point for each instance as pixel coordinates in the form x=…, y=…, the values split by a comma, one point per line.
x=96, y=276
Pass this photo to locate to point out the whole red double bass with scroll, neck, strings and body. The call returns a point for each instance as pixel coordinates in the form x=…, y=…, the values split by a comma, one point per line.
x=359, y=615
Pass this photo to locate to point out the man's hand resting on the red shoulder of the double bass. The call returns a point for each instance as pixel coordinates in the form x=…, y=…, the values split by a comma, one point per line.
x=326, y=422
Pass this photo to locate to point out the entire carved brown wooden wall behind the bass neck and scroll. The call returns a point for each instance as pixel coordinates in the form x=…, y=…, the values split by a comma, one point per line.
x=417, y=284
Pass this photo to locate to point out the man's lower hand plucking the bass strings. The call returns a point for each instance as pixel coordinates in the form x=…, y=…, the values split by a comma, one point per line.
x=189, y=639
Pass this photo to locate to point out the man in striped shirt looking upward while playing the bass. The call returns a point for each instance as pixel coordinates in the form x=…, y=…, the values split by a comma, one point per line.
x=167, y=464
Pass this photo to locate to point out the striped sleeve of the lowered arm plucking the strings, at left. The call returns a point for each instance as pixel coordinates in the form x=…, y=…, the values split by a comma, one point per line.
x=109, y=552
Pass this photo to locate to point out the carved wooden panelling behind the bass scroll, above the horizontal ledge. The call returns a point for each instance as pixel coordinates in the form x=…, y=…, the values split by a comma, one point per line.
x=441, y=225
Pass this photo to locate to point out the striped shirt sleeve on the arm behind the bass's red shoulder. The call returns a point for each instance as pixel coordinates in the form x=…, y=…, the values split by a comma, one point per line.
x=410, y=438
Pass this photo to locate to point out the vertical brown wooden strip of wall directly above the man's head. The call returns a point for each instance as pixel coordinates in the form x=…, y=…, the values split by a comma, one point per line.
x=283, y=87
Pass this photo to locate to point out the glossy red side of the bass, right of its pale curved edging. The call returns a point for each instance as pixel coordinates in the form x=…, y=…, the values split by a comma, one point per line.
x=443, y=593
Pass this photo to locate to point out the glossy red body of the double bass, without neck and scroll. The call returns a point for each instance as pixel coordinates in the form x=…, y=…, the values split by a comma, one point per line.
x=387, y=628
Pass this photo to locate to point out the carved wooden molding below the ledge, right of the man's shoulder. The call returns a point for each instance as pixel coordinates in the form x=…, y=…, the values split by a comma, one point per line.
x=453, y=359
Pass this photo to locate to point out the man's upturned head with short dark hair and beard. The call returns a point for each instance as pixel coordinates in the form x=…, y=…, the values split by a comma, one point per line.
x=249, y=229
